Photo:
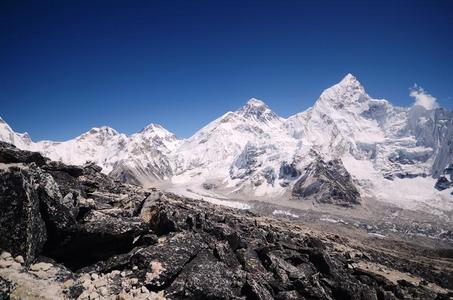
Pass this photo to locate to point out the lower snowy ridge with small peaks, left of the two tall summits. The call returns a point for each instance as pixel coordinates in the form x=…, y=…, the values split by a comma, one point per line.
x=140, y=158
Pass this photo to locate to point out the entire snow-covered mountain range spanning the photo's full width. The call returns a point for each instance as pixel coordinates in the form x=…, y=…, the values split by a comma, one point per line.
x=400, y=155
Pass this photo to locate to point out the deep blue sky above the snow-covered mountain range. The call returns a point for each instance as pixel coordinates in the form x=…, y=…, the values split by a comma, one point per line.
x=67, y=66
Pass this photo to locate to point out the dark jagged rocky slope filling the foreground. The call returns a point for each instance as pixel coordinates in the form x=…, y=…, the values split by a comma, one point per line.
x=69, y=232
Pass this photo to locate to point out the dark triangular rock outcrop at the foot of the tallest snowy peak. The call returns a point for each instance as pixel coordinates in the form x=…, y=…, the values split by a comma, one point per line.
x=326, y=182
